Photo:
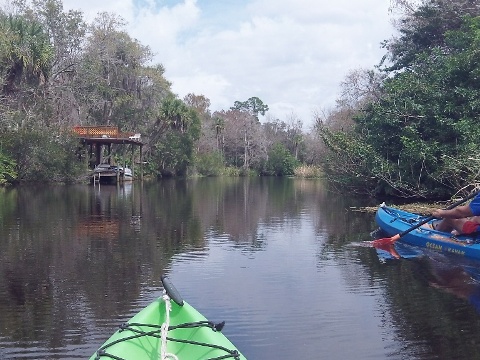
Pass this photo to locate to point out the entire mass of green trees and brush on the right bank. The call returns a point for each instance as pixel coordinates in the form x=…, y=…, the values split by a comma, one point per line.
x=419, y=136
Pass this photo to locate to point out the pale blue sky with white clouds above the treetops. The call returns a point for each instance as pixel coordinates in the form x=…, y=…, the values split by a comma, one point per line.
x=291, y=54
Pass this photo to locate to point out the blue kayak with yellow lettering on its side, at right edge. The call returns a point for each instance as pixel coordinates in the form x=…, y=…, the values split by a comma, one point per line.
x=394, y=221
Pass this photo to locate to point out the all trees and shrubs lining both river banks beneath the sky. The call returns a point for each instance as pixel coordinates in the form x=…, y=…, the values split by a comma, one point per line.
x=406, y=129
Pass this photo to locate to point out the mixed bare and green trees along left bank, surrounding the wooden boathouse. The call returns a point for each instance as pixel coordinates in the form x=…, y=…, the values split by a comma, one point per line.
x=59, y=71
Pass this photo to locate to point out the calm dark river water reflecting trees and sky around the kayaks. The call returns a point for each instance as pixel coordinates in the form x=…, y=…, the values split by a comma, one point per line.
x=277, y=259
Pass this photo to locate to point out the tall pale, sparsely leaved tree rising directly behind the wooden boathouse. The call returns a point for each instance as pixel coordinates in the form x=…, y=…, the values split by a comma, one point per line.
x=114, y=76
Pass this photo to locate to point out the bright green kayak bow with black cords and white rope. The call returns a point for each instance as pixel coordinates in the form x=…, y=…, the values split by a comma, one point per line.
x=190, y=335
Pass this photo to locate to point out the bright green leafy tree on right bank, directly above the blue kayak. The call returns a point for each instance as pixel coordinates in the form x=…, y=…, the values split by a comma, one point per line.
x=428, y=114
